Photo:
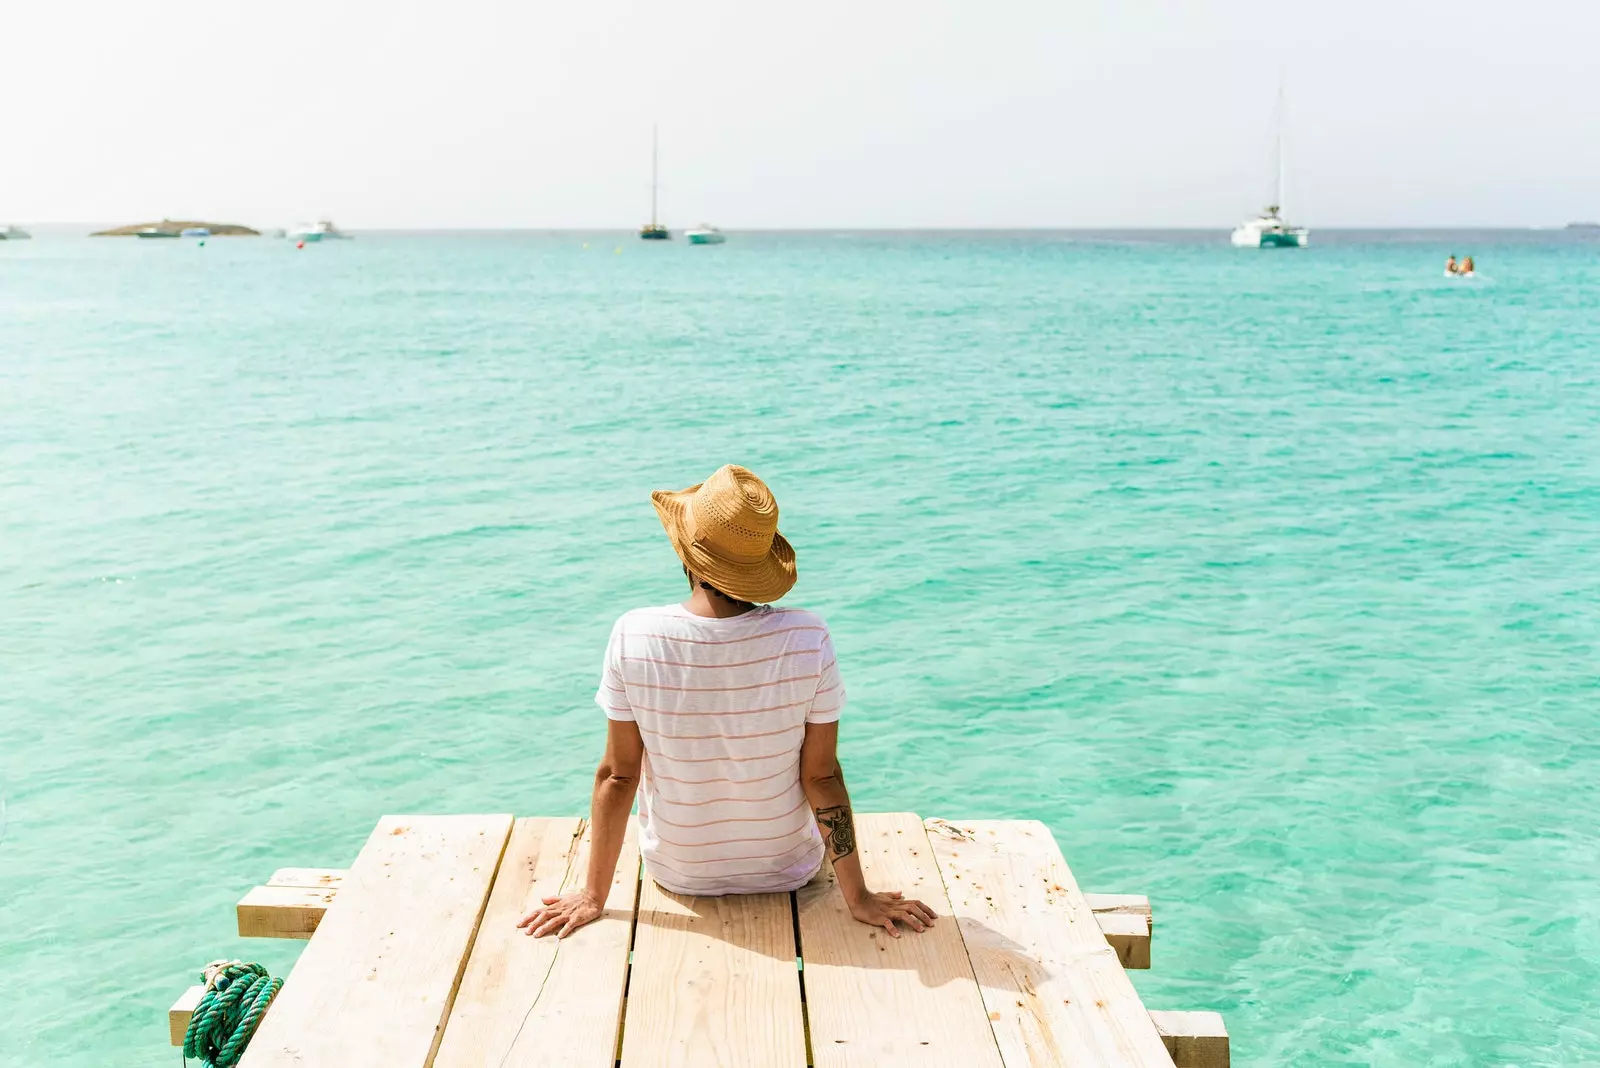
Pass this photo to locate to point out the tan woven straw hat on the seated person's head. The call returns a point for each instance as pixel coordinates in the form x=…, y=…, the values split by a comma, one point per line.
x=726, y=532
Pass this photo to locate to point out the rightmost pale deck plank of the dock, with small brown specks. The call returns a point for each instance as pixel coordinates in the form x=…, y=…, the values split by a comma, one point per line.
x=1055, y=992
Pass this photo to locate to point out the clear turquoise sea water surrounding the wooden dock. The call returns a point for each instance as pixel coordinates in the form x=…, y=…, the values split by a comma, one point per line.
x=1270, y=581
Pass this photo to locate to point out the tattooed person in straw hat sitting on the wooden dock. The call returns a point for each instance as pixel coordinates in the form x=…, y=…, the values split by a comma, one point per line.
x=722, y=715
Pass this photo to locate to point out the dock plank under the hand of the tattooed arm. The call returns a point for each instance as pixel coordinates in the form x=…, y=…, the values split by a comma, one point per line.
x=878, y=1002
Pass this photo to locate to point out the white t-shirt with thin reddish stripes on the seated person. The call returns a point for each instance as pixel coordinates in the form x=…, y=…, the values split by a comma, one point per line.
x=722, y=707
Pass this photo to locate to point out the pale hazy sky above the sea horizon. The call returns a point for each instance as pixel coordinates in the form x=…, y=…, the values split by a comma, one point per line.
x=822, y=114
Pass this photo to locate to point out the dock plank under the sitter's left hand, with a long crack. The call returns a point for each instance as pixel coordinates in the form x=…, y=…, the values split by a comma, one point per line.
x=545, y=1003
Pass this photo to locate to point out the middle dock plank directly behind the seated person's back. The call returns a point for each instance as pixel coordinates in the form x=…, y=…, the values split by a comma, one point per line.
x=714, y=984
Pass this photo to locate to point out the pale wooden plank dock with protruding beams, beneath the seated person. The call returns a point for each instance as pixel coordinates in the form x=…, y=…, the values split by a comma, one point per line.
x=415, y=962
